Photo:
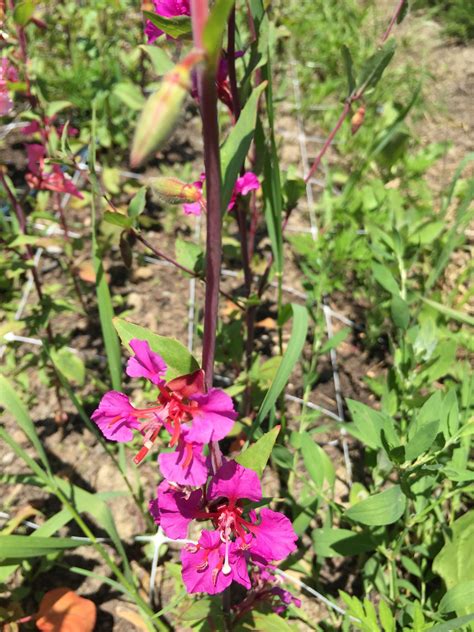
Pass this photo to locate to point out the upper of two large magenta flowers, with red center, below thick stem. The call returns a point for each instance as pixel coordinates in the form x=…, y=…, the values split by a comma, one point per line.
x=191, y=416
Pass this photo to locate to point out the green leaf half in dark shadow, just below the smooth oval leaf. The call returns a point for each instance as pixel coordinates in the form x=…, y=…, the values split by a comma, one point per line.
x=332, y=542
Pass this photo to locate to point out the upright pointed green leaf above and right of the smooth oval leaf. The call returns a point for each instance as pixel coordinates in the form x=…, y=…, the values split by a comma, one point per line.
x=423, y=429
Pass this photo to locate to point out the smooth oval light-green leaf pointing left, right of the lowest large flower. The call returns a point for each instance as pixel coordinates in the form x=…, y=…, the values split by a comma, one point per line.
x=379, y=509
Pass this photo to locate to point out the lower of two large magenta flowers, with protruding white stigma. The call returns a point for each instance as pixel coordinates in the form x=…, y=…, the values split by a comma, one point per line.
x=239, y=536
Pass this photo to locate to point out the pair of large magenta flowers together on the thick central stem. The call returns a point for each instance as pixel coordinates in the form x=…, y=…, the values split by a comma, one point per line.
x=236, y=536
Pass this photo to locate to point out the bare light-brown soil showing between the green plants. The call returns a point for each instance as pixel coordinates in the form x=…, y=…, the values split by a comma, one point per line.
x=157, y=296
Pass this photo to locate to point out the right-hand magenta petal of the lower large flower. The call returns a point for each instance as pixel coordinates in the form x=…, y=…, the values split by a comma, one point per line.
x=275, y=537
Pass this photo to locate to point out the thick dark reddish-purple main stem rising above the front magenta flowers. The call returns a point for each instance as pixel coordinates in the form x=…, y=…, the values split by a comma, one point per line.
x=208, y=104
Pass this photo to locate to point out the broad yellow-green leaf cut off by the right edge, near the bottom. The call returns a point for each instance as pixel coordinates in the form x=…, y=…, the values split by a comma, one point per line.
x=455, y=562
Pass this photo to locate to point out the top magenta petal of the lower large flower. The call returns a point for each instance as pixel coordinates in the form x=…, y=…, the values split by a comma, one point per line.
x=234, y=482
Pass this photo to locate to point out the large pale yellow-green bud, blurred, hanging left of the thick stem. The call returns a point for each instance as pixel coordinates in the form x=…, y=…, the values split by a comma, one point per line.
x=162, y=110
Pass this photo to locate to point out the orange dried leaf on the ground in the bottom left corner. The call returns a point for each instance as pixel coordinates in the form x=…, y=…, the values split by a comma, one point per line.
x=61, y=610
